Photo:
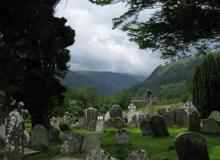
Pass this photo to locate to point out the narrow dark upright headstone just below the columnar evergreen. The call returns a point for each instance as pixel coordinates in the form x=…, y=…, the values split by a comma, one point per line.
x=194, y=122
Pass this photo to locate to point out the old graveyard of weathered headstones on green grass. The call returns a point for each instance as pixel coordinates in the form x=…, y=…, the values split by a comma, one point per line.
x=116, y=135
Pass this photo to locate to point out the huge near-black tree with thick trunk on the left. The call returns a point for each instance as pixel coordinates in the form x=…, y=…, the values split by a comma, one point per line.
x=33, y=54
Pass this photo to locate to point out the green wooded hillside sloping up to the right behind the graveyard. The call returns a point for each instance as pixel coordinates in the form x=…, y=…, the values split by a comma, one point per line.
x=170, y=82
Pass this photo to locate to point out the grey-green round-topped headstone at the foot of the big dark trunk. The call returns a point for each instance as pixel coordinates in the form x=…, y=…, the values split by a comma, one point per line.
x=39, y=138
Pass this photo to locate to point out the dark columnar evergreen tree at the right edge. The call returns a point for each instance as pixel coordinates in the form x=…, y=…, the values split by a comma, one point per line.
x=206, y=86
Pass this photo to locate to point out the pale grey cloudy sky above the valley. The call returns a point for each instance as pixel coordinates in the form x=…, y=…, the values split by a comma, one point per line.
x=97, y=46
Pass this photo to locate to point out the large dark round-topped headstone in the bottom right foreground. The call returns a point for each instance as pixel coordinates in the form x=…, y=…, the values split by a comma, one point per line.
x=191, y=146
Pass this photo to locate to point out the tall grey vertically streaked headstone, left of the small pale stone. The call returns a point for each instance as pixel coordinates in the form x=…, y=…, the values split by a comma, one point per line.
x=90, y=118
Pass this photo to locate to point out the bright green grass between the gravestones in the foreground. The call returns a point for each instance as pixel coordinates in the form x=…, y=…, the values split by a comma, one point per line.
x=157, y=148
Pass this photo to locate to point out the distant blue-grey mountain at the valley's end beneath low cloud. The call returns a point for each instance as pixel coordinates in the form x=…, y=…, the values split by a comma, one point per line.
x=107, y=83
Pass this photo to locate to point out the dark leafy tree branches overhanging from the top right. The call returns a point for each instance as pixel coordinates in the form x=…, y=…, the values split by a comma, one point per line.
x=174, y=28
